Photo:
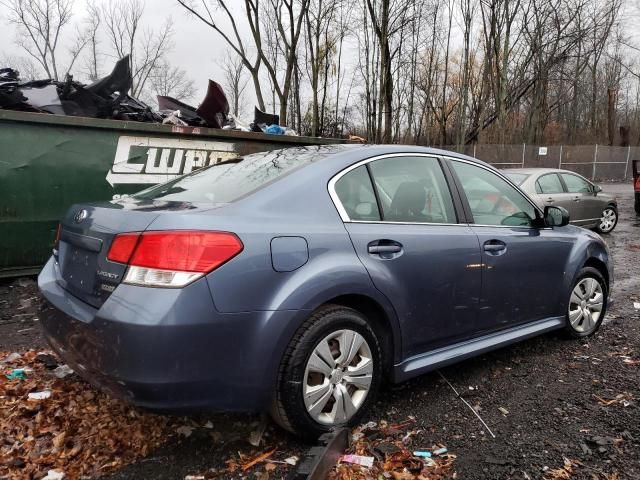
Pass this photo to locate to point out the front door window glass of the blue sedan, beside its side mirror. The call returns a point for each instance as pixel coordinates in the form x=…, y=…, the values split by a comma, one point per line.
x=492, y=200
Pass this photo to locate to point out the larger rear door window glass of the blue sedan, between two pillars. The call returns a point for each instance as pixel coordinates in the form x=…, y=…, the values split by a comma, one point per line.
x=412, y=190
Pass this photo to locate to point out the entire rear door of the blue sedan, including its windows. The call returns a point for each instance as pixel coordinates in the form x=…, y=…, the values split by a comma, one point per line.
x=406, y=233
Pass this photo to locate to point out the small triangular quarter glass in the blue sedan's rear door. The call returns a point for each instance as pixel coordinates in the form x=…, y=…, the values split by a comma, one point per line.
x=355, y=192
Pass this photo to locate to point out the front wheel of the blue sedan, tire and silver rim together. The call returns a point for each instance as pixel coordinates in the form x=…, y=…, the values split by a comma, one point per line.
x=587, y=304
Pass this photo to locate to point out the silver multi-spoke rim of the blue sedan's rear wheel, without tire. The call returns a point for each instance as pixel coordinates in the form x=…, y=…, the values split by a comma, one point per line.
x=337, y=377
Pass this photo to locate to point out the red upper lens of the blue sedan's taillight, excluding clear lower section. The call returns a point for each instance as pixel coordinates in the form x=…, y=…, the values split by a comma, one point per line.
x=185, y=251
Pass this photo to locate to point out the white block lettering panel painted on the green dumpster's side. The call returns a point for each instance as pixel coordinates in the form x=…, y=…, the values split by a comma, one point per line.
x=151, y=160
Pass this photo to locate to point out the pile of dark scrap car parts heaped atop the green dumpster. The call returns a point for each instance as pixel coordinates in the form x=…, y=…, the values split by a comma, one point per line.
x=108, y=98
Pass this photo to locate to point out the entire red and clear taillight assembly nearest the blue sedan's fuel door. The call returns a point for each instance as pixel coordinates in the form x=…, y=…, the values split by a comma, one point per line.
x=172, y=258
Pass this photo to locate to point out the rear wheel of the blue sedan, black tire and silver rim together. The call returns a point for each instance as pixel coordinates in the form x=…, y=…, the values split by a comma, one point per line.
x=330, y=373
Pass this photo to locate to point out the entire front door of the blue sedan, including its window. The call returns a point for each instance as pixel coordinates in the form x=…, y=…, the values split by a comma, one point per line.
x=523, y=266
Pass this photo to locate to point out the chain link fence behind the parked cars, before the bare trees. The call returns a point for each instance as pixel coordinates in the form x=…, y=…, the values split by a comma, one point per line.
x=596, y=162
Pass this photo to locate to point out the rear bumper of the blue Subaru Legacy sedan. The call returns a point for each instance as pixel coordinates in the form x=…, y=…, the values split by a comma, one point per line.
x=168, y=349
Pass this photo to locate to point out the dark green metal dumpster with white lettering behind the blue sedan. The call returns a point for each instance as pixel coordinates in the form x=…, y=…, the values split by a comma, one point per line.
x=48, y=162
